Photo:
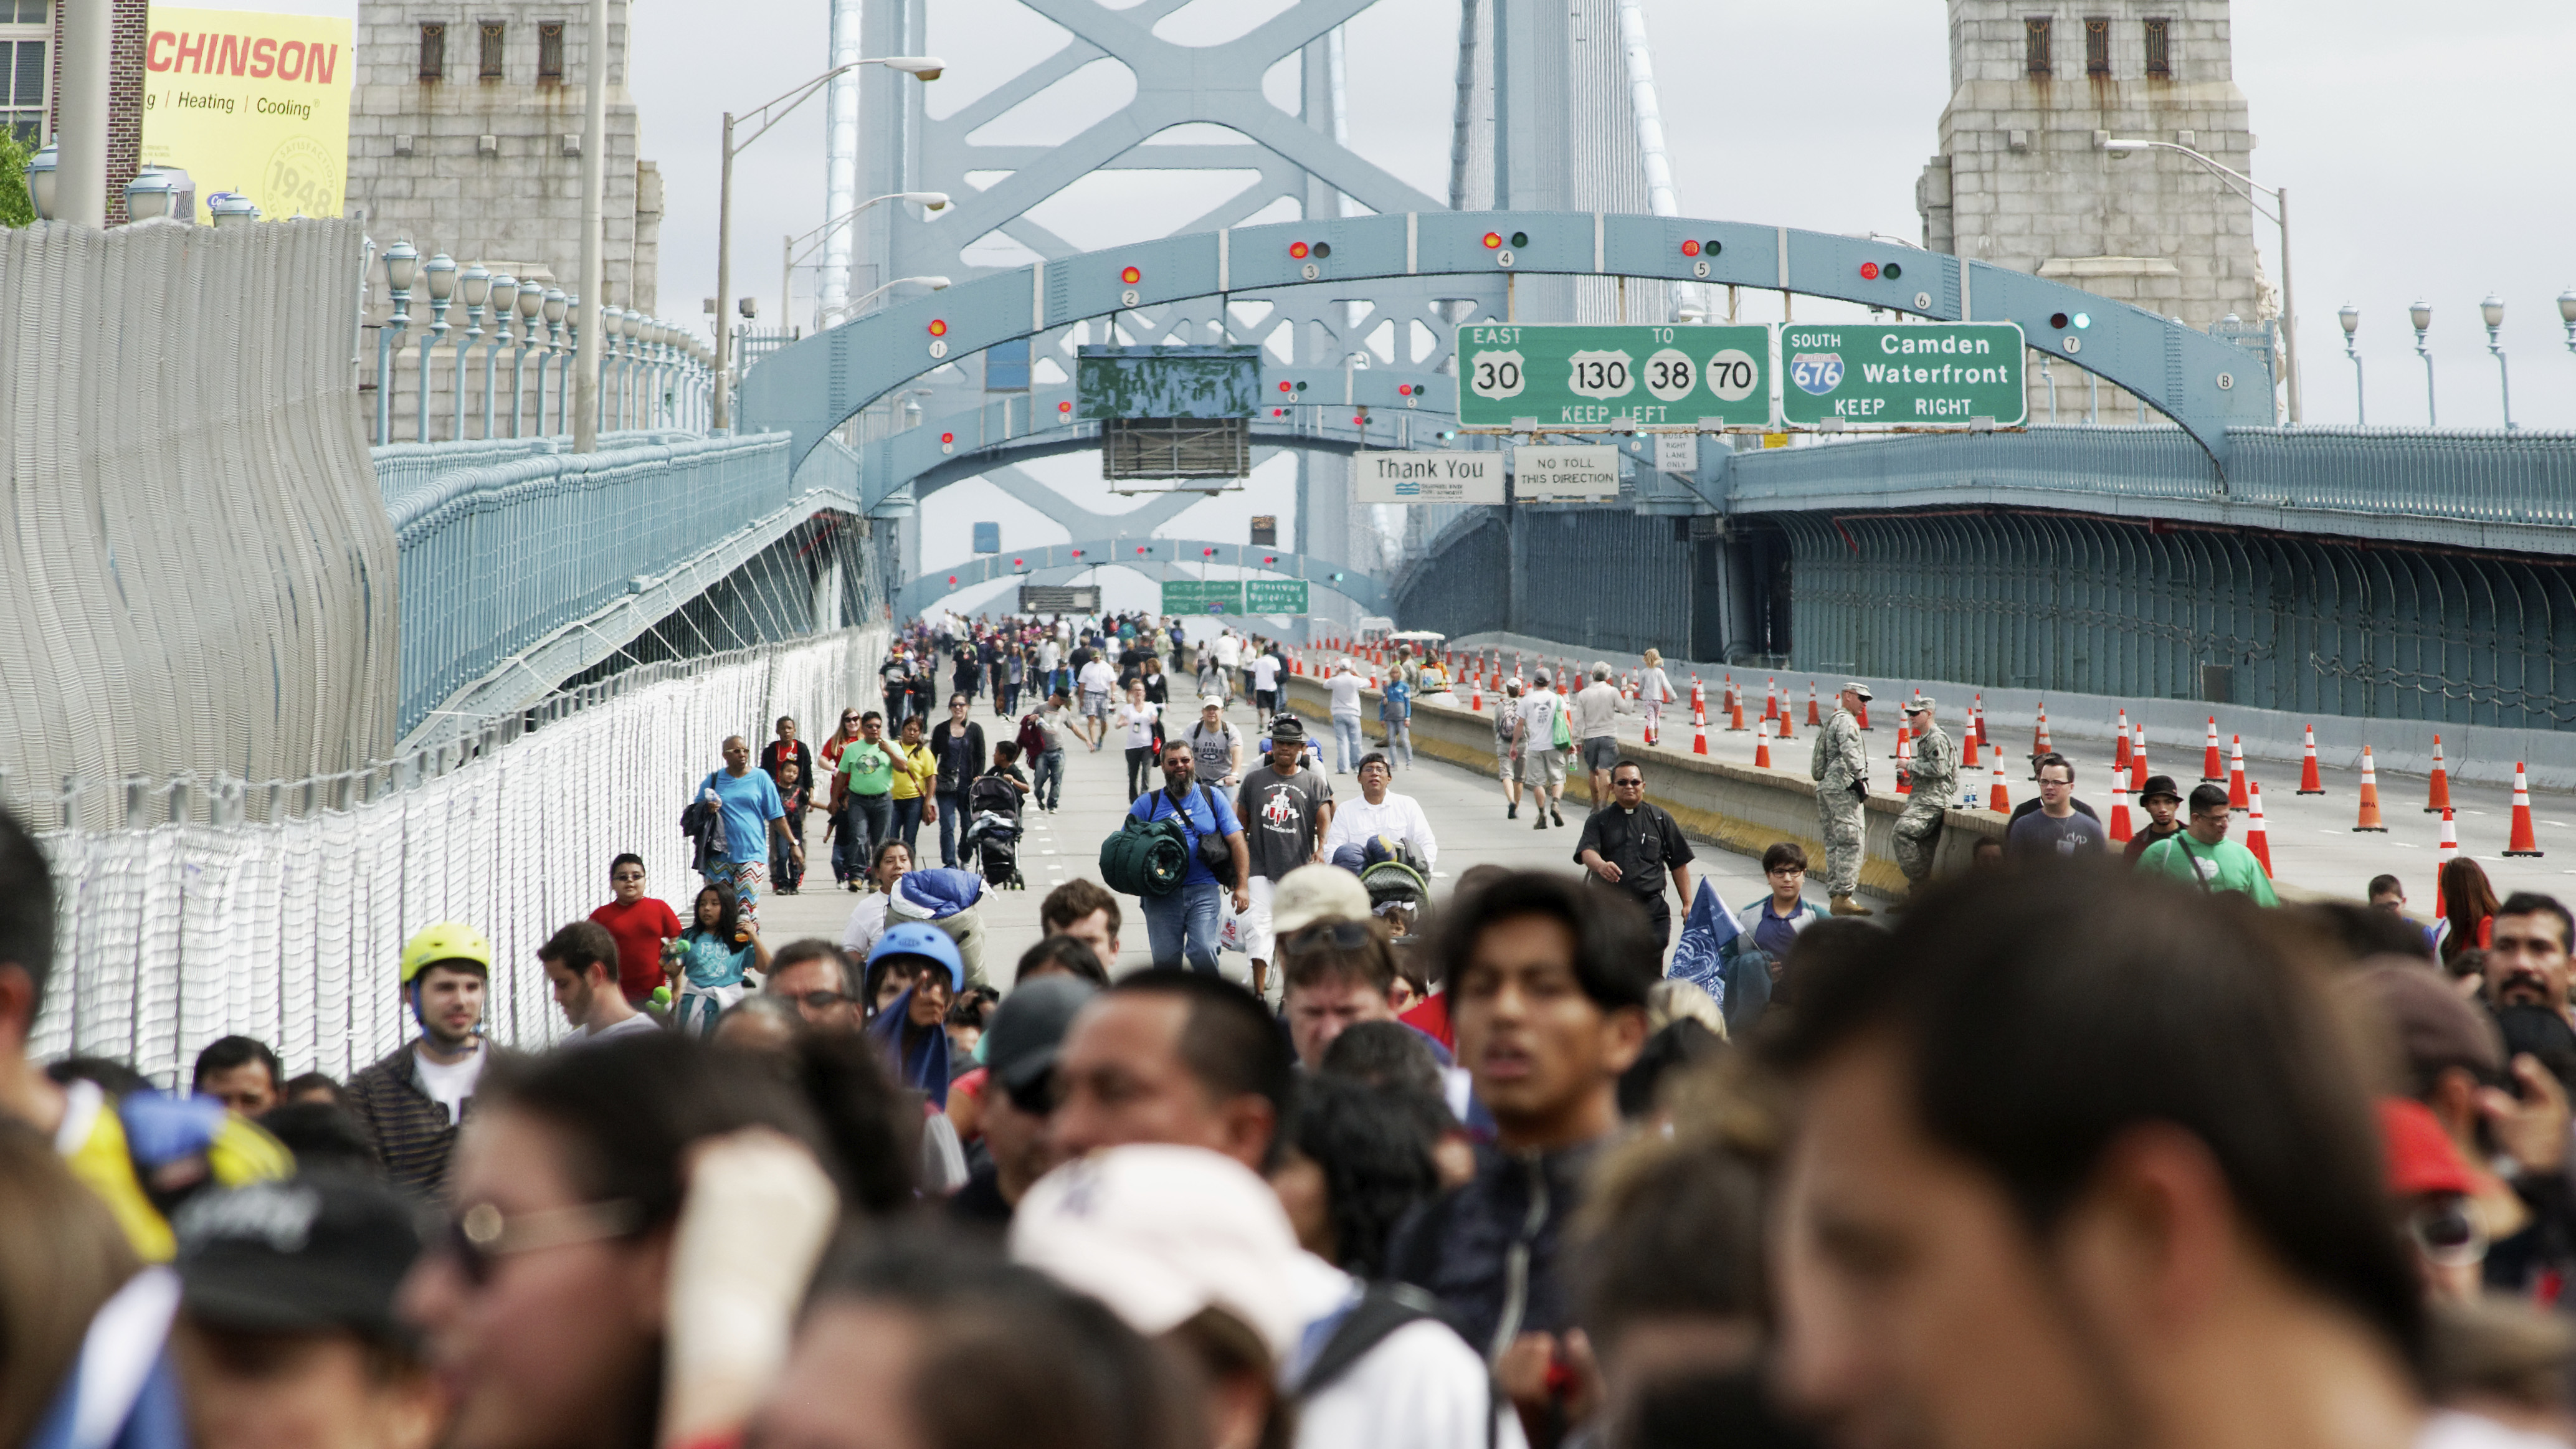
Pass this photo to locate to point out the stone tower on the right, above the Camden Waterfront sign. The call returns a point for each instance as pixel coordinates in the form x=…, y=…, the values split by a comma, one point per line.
x=2021, y=181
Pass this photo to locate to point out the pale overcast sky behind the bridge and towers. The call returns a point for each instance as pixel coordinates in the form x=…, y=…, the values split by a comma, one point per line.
x=2425, y=161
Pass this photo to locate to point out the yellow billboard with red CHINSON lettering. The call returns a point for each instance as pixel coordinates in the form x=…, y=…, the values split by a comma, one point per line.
x=254, y=104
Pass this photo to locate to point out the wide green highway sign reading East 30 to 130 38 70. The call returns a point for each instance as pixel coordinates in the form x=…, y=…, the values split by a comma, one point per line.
x=1591, y=377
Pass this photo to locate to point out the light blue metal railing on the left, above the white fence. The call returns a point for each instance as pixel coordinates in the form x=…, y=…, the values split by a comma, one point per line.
x=504, y=552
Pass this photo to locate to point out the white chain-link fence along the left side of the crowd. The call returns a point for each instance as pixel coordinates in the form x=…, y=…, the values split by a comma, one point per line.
x=292, y=928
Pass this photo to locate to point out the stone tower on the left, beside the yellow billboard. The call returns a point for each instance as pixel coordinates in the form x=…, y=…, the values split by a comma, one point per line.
x=468, y=138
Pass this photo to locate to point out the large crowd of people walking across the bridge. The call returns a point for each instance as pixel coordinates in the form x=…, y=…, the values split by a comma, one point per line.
x=2065, y=1152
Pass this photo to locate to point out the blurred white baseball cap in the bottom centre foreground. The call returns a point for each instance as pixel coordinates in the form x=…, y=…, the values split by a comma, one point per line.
x=1160, y=1234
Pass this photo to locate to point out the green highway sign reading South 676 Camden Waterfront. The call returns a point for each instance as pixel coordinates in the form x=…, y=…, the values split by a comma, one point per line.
x=1926, y=374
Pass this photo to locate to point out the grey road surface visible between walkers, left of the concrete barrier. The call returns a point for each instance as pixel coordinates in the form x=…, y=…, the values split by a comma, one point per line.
x=1464, y=812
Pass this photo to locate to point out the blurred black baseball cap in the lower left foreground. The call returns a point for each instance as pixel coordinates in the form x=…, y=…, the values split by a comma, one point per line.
x=305, y=1255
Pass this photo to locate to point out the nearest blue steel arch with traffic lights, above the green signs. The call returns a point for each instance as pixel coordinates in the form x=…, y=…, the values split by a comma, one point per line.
x=818, y=385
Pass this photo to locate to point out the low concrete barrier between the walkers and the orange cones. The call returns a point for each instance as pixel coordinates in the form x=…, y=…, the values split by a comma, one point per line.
x=1725, y=804
